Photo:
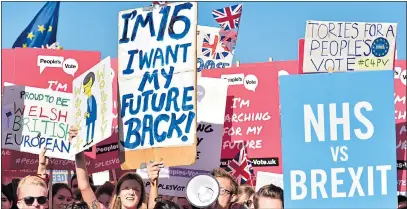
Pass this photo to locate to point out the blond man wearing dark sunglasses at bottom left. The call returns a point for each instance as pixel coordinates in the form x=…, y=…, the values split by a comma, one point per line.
x=32, y=192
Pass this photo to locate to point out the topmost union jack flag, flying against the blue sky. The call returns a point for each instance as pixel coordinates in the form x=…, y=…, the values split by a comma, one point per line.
x=228, y=17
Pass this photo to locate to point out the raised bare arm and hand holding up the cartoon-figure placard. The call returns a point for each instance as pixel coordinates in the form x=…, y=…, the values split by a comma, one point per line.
x=82, y=176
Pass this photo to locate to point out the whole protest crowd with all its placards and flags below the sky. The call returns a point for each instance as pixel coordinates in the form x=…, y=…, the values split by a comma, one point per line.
x=181, y=116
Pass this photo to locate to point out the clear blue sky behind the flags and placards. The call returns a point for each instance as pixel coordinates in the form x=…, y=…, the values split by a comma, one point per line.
x=267, y=29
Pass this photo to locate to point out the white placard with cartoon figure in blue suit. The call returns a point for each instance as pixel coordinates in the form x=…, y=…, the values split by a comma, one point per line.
x=92, y=105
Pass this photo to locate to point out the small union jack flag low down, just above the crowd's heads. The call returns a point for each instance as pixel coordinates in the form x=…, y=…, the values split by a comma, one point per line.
x=241, y=168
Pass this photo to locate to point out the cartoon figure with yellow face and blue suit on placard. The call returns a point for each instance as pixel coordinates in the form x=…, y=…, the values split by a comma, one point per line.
x=91, y=111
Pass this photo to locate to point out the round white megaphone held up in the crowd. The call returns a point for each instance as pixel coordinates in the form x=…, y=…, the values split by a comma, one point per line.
x=202, y=191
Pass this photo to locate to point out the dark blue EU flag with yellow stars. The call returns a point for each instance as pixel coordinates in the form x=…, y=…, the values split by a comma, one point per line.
x=43, y=28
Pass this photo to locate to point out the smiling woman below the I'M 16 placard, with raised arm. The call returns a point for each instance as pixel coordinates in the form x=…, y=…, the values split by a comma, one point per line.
x=129, y=192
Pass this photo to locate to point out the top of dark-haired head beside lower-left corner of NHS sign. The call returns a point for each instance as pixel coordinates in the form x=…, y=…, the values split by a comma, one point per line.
x=269, y=196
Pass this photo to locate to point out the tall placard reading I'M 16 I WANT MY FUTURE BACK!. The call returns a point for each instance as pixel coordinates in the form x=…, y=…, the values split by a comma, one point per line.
x=157, y=84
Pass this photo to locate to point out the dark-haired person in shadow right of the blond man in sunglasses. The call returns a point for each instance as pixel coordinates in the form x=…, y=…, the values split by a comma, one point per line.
x=61, y=196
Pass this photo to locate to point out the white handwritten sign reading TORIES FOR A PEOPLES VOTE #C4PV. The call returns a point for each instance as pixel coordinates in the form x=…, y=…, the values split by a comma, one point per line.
x=348, y=46
